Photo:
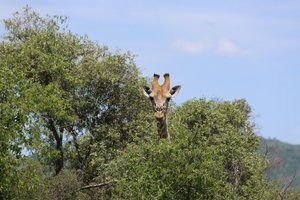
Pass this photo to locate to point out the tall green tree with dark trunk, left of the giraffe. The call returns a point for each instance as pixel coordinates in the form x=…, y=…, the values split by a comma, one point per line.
x=68, y=101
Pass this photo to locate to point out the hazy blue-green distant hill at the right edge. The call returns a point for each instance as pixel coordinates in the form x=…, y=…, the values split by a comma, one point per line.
x=285, y=159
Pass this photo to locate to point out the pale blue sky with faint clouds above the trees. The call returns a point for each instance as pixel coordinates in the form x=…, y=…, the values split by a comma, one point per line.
x=222, y=50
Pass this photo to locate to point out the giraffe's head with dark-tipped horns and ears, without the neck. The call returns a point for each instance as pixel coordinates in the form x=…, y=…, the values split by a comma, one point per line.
x=160, y=95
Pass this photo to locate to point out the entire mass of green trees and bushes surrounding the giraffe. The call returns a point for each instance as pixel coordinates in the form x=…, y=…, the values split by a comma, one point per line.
x=76, y=110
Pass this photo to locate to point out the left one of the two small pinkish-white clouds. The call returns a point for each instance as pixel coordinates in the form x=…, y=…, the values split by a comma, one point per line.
x=192, y=46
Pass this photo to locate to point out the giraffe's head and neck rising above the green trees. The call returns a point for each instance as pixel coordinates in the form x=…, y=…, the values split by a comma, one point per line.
x=160, y=95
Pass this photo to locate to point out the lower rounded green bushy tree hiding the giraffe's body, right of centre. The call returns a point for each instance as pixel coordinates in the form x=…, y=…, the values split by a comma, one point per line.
x=212, y=156
